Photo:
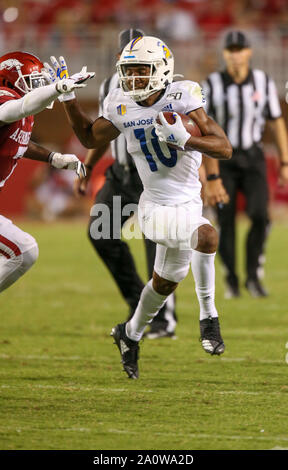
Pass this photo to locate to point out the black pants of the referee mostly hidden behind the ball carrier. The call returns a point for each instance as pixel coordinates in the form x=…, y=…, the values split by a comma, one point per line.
x=114, y=252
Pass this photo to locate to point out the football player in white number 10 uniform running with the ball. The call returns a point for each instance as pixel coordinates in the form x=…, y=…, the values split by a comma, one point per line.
x=170, y=207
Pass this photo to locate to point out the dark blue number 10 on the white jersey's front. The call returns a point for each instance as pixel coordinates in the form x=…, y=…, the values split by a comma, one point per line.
x=170, y=162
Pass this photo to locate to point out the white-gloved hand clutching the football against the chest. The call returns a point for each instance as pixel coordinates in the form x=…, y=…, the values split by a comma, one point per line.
x=175, y=134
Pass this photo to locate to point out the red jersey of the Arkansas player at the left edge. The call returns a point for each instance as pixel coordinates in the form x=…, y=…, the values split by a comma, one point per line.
x=14, y=138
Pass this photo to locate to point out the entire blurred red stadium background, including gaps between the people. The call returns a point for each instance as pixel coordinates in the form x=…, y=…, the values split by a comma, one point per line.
x=86, y=32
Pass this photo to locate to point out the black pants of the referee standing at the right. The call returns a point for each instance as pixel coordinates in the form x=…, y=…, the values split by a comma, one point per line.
x=245, y=172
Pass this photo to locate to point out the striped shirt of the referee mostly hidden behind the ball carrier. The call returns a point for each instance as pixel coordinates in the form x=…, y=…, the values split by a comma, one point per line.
x=118, y=146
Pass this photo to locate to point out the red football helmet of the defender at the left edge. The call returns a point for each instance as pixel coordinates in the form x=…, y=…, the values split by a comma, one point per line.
x=21, y=71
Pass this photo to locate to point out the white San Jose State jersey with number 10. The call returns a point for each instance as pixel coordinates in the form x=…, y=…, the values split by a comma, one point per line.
x=169, y=176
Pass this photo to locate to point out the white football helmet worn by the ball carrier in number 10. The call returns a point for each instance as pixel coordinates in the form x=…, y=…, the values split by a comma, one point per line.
x=146, y=50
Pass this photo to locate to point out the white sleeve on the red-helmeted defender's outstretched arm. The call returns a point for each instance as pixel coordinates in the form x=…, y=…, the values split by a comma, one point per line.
x=29, y=104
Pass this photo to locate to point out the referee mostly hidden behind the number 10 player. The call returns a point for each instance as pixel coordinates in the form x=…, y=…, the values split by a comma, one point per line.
x=122, y=180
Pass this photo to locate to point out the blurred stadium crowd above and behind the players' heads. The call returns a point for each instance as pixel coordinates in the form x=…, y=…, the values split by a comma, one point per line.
x=79, y=28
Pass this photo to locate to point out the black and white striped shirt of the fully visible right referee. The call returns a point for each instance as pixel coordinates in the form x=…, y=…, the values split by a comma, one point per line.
x=242, y=109
